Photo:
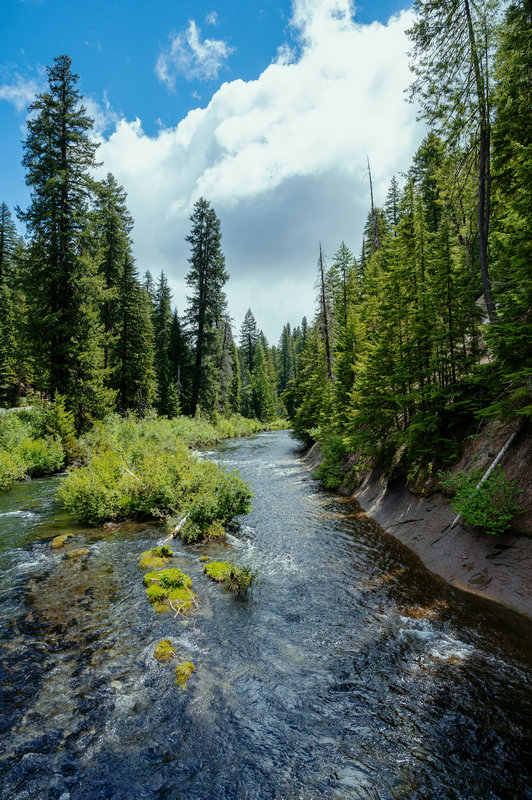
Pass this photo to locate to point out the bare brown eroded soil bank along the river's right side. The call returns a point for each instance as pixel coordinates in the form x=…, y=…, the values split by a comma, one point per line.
x=498, y=568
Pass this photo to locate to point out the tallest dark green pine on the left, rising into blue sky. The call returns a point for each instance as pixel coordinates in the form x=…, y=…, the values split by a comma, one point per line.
x=62, y=284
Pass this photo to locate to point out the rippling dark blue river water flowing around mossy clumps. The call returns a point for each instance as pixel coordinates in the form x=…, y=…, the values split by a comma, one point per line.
x=351, y=672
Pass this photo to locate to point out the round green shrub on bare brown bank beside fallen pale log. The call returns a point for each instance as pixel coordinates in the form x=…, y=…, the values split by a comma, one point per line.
x=489, y=507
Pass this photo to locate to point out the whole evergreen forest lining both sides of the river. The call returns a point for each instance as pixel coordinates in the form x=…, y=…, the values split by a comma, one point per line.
x=417, y=338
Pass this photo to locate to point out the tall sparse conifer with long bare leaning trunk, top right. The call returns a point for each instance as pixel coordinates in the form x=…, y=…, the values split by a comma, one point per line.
x=453, y=48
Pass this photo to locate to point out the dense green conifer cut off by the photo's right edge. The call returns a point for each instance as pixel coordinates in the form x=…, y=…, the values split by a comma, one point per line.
x=511, y=337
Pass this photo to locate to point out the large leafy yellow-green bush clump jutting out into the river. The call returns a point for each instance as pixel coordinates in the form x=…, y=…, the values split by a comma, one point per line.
x=143, y=469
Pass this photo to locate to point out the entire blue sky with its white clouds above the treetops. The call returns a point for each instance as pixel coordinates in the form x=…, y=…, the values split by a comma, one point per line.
x=267, y=108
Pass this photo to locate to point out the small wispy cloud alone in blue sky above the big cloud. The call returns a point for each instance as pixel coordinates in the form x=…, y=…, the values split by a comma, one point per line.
x=191, y=56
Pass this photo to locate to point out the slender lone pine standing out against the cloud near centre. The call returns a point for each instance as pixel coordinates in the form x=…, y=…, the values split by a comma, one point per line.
x=205, y=313
